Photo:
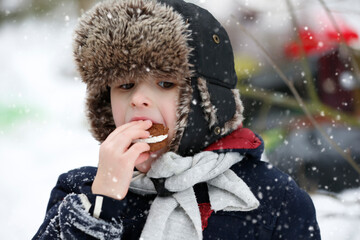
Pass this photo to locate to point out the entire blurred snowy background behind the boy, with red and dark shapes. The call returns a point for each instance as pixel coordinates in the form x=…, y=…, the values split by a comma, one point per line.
x=281, y=46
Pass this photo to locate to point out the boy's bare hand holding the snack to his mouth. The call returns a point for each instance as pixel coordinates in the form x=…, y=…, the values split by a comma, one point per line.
x=117, y=159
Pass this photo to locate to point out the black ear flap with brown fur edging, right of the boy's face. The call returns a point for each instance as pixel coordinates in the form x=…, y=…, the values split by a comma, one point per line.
x=213, y=112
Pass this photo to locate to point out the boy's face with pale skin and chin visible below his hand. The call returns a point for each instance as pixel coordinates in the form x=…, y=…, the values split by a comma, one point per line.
x=147, y=99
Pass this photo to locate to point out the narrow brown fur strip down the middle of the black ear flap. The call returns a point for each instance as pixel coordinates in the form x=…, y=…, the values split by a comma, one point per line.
x=209, y=109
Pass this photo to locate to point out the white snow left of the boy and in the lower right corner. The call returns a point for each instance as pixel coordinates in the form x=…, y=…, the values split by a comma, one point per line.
x=47, y=134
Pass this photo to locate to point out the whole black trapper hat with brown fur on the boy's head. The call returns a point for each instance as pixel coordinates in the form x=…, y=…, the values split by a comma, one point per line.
x=167, y=38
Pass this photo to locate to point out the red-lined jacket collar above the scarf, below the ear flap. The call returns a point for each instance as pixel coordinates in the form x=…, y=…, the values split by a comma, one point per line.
x=243, y=141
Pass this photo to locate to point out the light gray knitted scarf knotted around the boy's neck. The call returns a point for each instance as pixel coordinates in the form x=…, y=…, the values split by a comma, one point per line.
x=177, y=216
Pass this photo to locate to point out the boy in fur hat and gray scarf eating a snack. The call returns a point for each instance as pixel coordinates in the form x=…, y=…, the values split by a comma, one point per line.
x=169, y=62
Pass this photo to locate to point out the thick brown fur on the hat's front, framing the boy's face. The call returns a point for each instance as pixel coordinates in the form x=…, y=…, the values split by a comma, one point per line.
x=118, y=40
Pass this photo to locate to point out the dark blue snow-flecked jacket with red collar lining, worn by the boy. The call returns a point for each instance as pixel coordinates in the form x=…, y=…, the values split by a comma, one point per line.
x=285, y=211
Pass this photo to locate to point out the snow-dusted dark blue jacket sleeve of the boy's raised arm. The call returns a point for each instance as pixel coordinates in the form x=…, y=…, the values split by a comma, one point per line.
x=75, y=215
